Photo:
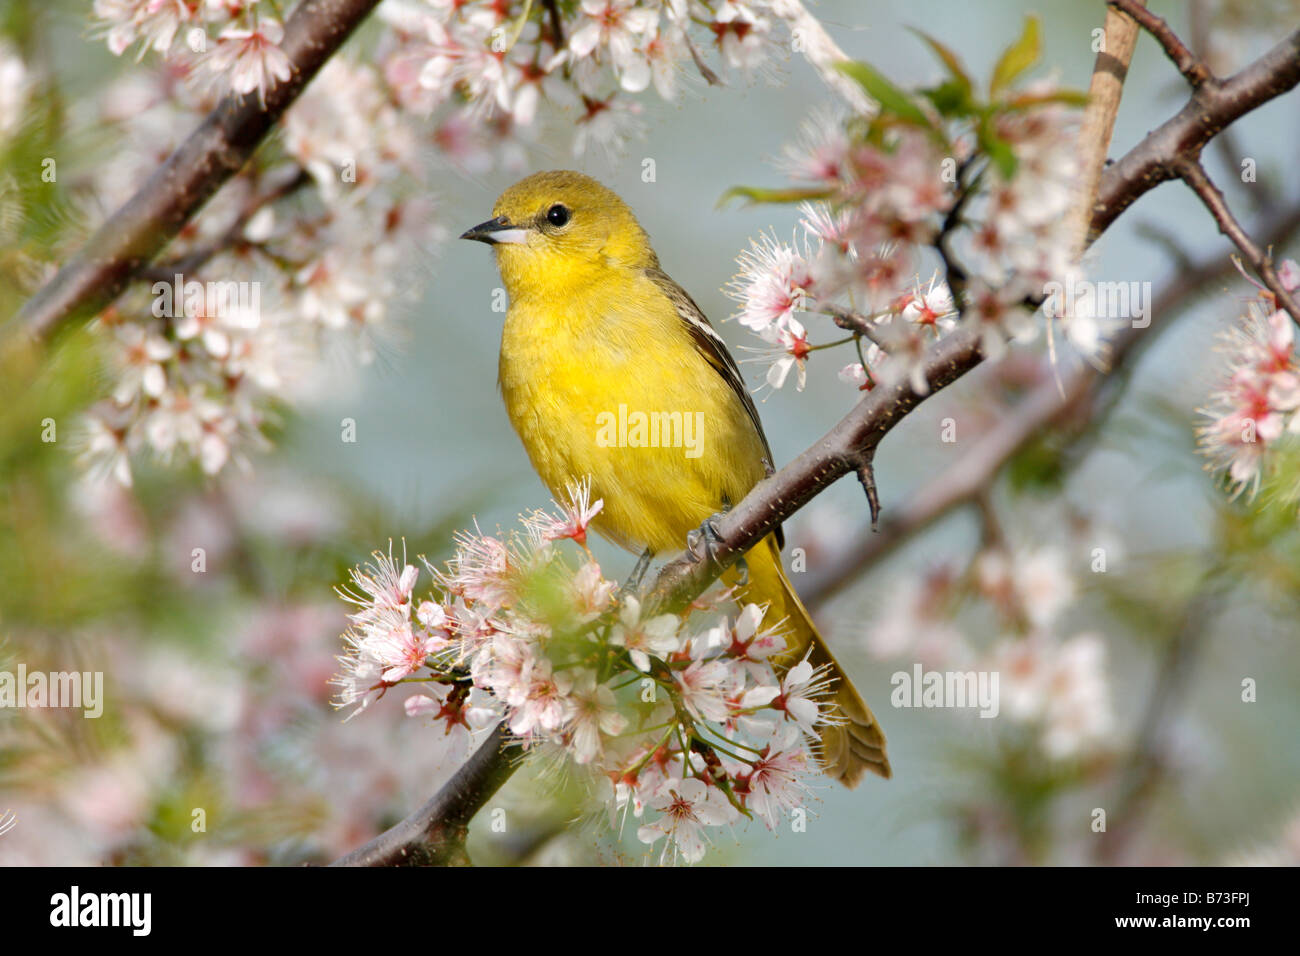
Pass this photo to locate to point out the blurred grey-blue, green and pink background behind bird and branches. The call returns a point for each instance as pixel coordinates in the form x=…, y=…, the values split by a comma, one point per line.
x=216, y=682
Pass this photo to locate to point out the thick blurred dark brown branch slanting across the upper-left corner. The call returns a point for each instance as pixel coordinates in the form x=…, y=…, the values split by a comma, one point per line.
x=133, y=236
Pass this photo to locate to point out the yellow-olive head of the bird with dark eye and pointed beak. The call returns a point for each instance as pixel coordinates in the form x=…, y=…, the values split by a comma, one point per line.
x=561, y=228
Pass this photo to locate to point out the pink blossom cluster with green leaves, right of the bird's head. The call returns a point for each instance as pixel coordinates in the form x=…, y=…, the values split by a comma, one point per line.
x=987, y=197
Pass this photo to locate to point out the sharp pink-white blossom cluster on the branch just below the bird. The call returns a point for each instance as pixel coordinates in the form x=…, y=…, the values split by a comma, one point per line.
x=684, y=729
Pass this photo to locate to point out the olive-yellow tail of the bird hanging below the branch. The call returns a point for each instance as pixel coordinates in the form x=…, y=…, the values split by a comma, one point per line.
x=855, y=745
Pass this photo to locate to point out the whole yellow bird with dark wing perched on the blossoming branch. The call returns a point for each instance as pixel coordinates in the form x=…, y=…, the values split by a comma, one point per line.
x=600, y=348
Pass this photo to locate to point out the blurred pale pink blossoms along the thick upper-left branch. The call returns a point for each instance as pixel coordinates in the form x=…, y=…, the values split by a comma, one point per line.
x=300, y=254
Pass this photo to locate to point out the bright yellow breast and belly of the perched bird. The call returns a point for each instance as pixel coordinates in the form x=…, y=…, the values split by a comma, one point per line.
x=605, y=380
